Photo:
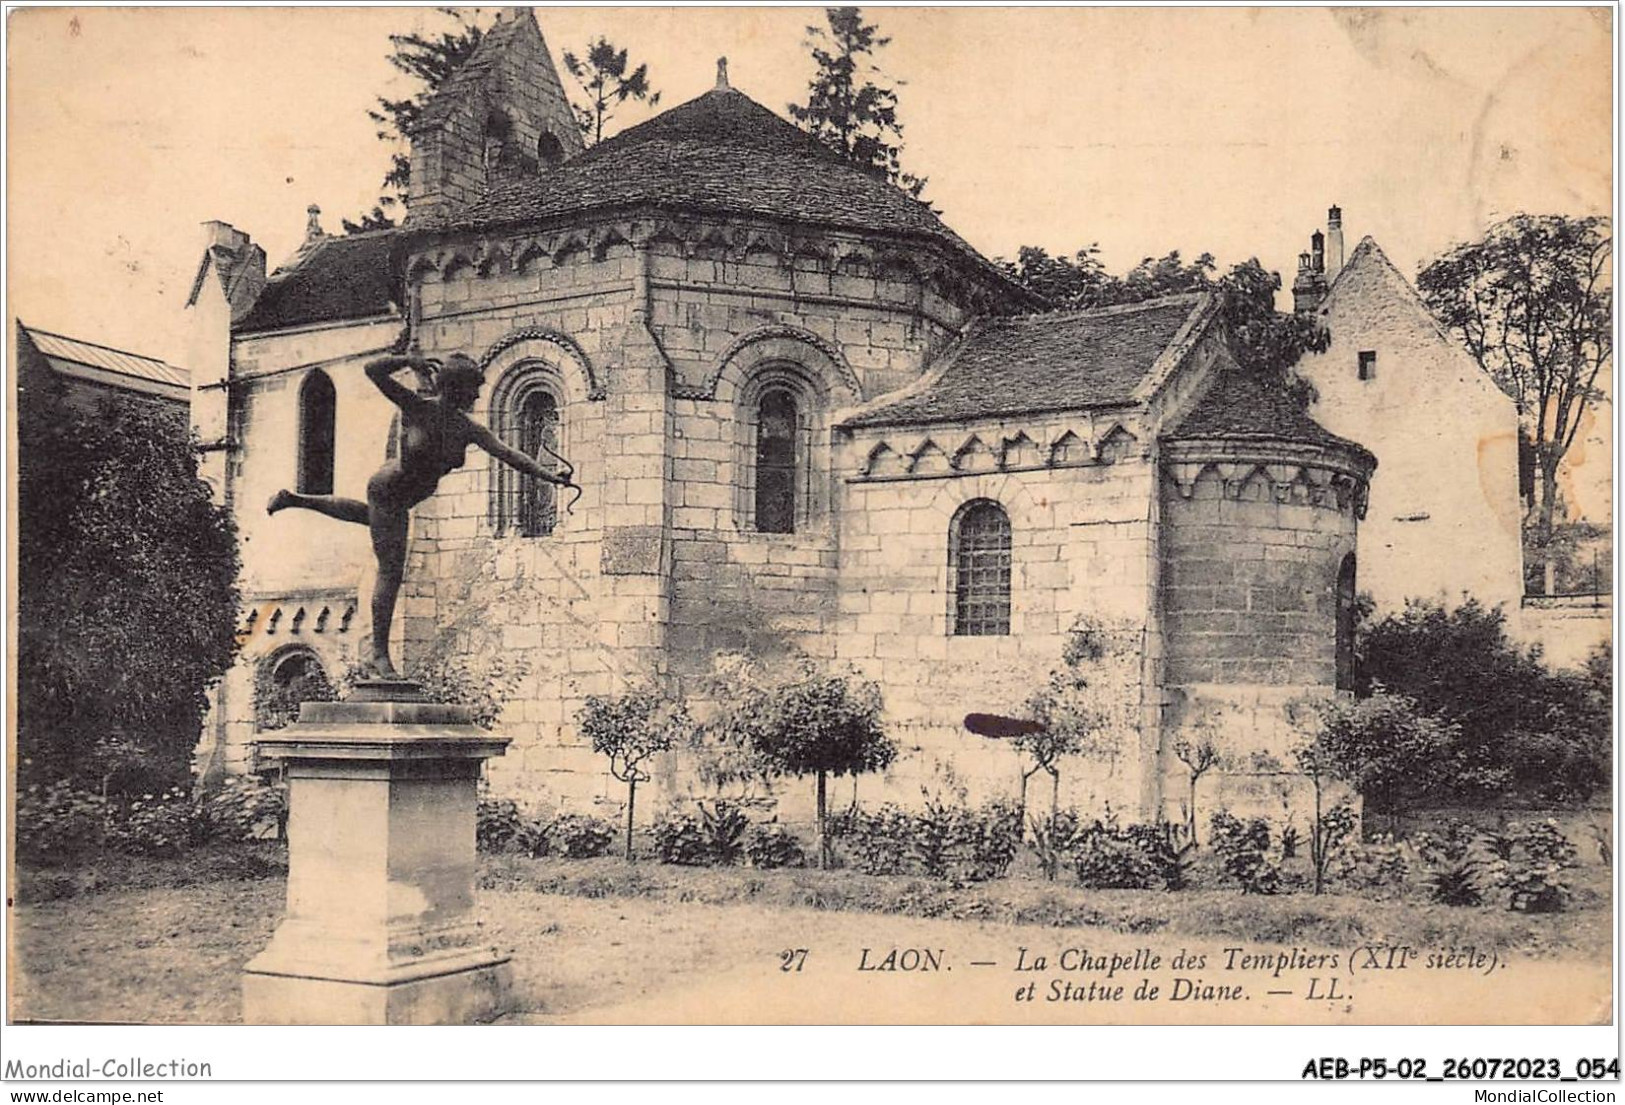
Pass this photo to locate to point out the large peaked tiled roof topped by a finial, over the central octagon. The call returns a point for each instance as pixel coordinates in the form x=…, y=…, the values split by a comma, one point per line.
x=722, y=154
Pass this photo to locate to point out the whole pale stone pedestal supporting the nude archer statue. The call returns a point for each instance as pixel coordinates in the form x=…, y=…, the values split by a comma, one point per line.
x=381, y=922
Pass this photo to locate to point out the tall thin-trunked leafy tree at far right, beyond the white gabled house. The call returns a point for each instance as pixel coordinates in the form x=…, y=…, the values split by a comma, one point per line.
x=1533, y=301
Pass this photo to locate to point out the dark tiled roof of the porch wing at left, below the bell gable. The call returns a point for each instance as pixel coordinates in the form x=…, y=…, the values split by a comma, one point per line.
x=329, y=282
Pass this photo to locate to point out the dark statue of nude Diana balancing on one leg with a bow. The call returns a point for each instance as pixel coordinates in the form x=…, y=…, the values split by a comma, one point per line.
x=435, y=436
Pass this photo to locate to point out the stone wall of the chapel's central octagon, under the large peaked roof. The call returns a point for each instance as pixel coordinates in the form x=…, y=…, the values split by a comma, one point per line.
x=659, y=568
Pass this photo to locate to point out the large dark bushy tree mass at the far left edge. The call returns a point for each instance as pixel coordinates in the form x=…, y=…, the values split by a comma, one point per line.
x=128, y=597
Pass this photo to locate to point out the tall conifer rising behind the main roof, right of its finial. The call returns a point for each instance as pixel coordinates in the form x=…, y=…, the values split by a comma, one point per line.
x=846, y=108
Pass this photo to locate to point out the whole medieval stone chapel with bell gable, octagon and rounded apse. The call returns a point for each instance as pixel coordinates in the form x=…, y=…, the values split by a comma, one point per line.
x=808, y=420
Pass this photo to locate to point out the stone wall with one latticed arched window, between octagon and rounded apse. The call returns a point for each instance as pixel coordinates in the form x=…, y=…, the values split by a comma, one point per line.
x=1080, y=495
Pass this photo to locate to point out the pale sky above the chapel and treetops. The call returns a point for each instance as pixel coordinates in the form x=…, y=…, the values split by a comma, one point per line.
x=1228, y=131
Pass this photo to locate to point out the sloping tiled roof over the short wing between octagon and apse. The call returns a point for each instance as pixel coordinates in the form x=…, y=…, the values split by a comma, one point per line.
x=1044, y=363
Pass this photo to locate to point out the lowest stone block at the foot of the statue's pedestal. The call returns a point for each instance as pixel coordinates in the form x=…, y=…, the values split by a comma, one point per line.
x=464, y=997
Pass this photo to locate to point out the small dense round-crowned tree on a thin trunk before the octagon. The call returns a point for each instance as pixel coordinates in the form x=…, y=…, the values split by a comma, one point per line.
x=808, y=724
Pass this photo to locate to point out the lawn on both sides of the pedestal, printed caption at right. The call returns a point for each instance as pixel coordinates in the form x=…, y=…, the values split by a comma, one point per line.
x=602, y=940
